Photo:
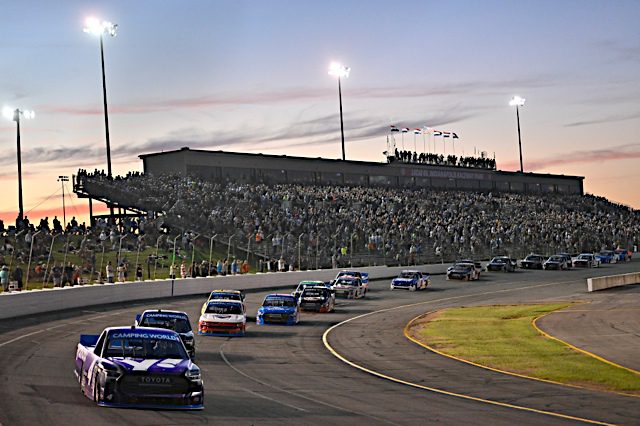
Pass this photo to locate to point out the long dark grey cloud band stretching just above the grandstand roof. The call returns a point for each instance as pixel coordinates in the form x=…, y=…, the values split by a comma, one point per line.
x=312, y=131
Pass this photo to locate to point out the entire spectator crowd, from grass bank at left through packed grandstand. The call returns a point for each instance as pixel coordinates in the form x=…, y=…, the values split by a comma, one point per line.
x=282, y=226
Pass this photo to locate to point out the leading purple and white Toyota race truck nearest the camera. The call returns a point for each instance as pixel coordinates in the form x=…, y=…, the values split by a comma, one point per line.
x=139, y=367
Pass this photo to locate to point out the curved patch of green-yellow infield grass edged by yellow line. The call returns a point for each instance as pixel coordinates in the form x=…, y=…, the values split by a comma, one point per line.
x=503, y=337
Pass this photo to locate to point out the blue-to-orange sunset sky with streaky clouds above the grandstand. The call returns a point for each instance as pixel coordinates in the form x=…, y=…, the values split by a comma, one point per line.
x=251, y=76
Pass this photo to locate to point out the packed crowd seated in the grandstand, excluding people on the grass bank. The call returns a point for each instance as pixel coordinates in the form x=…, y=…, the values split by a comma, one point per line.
x=335, y=222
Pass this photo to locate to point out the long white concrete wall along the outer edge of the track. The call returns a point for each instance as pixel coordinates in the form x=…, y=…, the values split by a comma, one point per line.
x=32, y=302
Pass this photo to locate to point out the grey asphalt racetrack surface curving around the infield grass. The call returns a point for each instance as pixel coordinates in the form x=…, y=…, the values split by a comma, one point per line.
x=286, y=375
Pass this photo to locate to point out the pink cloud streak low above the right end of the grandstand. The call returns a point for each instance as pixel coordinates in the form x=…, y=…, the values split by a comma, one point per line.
x=620, y=152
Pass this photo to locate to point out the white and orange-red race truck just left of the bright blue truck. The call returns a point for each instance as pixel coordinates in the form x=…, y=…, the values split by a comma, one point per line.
x=223, y=317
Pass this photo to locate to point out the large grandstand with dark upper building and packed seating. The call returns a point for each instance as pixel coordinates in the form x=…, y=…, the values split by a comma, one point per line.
x=321, y=212
